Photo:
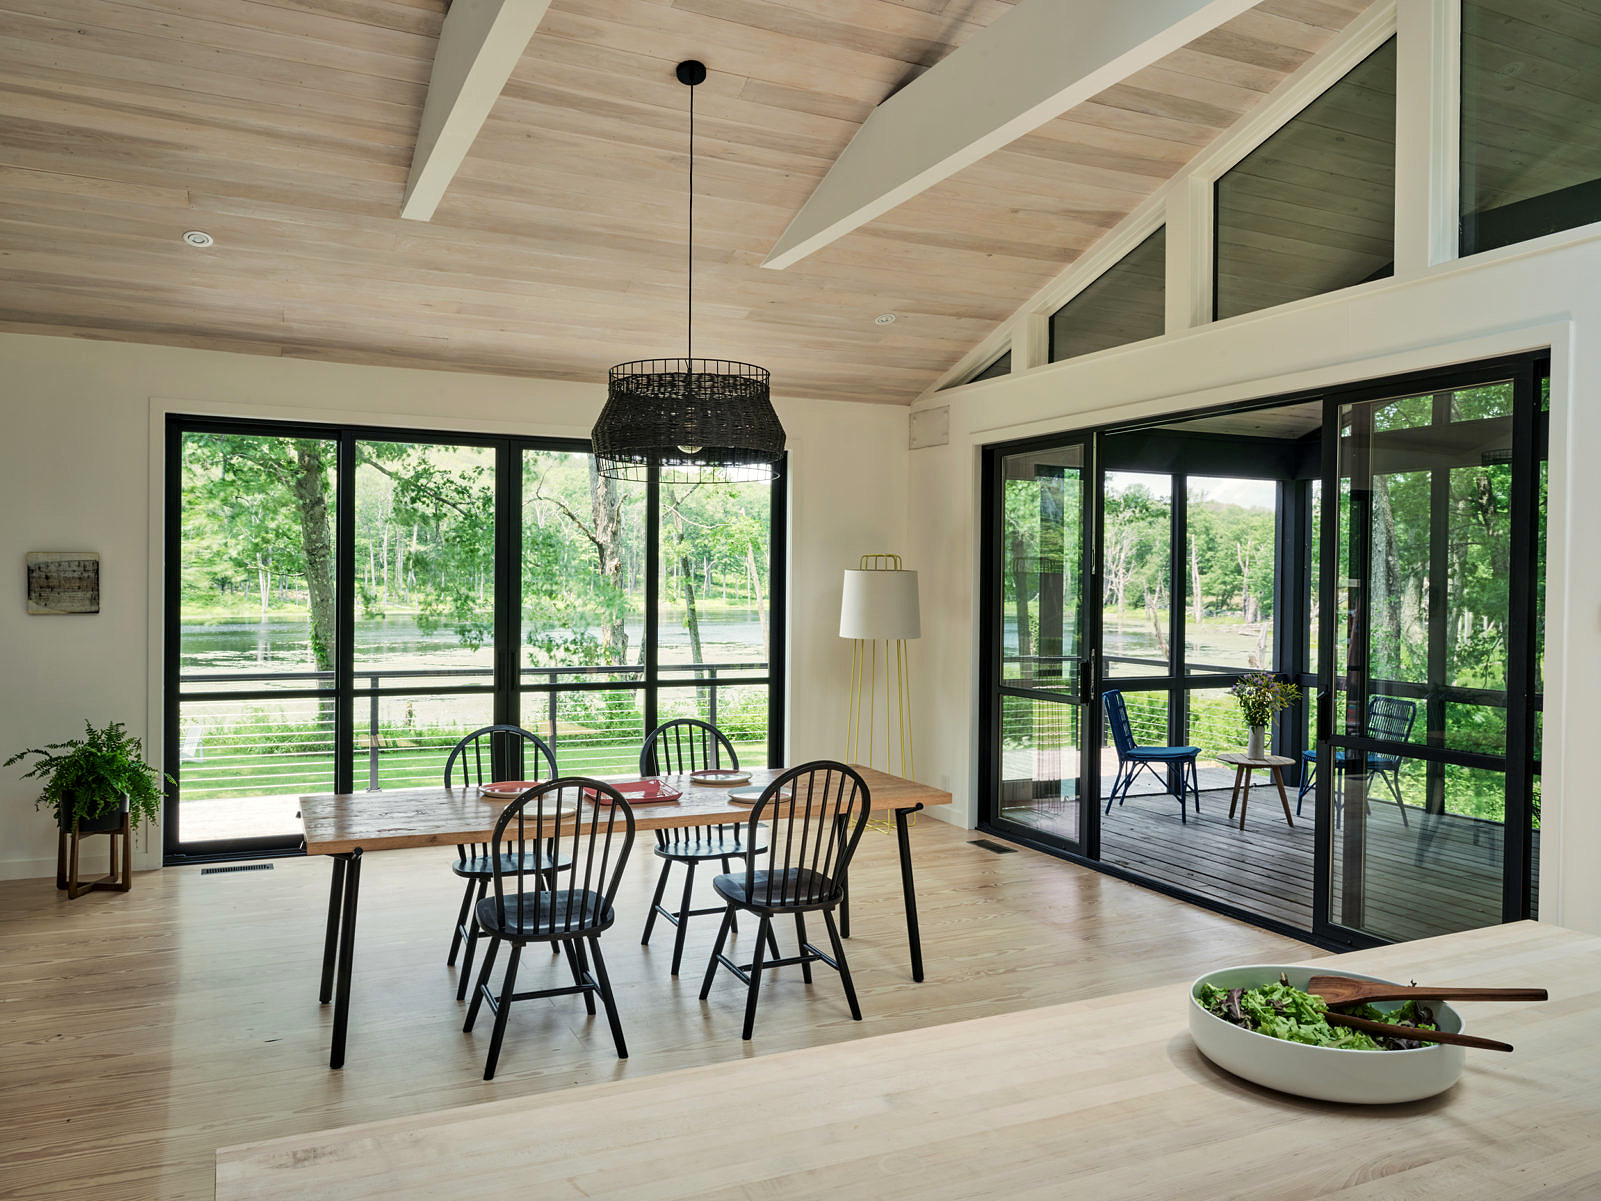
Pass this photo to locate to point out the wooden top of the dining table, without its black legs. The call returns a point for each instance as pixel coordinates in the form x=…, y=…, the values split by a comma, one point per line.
x=436, y=817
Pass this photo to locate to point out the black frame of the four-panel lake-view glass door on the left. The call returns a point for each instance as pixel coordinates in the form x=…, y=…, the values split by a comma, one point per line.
x=507, y=688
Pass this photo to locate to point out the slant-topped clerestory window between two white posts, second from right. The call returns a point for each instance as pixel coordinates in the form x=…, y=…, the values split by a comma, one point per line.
x=1314, y=207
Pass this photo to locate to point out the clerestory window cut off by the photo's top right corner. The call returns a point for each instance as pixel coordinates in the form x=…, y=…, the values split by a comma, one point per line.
x=1531, y=97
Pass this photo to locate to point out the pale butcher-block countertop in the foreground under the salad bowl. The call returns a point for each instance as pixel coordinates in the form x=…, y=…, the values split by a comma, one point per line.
x=1104, y=1098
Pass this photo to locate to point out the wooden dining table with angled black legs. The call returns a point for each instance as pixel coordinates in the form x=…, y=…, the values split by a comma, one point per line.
x=347, y=827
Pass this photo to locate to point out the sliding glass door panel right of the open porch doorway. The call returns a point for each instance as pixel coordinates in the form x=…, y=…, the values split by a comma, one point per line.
x=1427, y=758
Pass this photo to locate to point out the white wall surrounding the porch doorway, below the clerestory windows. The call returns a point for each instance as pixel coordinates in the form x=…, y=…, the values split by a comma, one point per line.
x=1539, y=295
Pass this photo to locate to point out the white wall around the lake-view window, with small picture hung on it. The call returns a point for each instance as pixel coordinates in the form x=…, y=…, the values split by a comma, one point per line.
x=81, y=470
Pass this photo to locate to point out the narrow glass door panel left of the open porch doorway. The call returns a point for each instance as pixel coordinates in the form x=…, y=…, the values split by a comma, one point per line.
x=1041, y=638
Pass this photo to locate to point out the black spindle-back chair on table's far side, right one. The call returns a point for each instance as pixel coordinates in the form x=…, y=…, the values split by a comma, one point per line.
x=689, y=745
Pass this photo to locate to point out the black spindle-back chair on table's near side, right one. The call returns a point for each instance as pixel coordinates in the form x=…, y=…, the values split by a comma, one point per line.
x=817, y=814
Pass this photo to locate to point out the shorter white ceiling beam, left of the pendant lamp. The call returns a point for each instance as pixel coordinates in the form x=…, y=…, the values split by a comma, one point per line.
x=479, y=47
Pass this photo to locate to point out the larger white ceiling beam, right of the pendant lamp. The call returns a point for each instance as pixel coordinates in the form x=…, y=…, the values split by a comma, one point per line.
x=1027, y=68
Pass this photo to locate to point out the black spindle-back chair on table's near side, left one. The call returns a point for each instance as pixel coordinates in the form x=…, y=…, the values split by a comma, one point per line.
x=595, y=830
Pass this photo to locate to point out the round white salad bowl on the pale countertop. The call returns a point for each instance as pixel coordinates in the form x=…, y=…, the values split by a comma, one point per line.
x=1323, y=1074
